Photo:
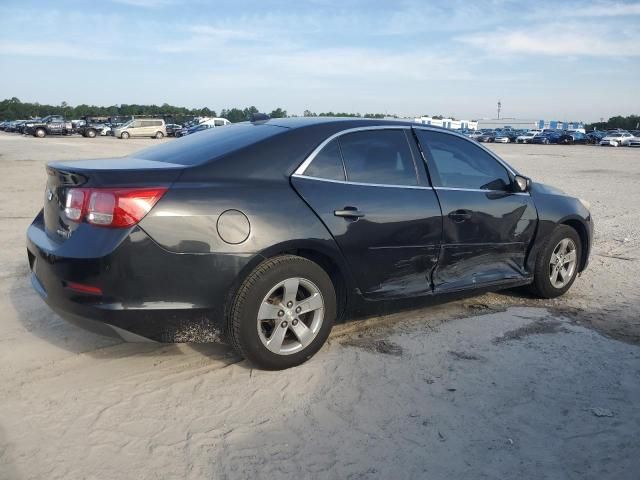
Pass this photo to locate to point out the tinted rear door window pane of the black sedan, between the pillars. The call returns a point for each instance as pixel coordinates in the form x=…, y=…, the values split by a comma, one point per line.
x=378, y=156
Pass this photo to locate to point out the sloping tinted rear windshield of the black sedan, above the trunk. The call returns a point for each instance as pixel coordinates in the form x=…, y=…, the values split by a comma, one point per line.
x=200, y=147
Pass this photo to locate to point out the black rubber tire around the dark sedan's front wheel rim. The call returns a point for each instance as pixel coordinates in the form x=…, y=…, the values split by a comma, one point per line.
x=542, y=285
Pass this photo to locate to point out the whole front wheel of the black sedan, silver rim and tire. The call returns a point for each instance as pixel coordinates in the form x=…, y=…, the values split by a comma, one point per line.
x=557, y=263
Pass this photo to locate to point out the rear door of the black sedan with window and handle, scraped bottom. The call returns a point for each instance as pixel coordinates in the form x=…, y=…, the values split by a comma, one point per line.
x=366, y=189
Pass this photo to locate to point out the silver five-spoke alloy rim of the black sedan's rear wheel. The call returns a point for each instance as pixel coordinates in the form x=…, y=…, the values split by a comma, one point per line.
x=290, y=316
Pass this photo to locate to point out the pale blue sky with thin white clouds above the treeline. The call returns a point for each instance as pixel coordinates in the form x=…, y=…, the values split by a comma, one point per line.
x=554, y=60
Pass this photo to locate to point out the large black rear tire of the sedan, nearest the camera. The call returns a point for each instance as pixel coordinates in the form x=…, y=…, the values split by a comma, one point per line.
x=264, y=287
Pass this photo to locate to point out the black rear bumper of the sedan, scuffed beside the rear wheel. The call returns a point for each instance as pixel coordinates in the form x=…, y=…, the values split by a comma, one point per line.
x=147, y=292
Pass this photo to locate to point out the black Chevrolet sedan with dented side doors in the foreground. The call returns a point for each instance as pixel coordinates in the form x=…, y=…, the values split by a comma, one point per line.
x=201, y=228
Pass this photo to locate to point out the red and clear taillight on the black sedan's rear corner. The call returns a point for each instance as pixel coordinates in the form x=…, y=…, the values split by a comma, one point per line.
x=111, y=207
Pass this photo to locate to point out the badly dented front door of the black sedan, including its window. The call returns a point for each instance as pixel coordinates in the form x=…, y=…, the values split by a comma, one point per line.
x=487, y=228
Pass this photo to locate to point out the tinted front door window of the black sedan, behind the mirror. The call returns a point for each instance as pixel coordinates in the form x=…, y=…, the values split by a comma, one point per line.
x=457, y=163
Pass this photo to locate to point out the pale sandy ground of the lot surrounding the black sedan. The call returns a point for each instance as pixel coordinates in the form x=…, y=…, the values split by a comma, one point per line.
x=492, y=386
